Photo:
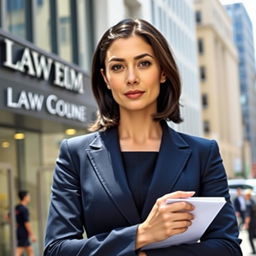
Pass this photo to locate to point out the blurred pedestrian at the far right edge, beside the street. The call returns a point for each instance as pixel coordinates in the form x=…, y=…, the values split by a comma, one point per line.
x=250, y=218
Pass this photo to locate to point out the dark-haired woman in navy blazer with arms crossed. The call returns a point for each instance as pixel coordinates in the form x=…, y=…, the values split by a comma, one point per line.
x=114, y=182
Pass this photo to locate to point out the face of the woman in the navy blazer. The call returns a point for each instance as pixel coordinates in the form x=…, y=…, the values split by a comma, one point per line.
x=133, y=74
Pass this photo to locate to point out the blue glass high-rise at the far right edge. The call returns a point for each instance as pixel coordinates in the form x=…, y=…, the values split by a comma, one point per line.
x=243, y=38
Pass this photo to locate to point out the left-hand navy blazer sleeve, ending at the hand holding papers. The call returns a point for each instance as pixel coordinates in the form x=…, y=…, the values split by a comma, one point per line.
x=65, y=220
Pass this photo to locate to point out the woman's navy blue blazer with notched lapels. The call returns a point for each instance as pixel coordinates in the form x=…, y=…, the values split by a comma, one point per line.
x=90, y=192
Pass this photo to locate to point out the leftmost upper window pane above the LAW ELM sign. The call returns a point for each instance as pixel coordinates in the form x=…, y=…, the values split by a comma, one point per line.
x=15, y=17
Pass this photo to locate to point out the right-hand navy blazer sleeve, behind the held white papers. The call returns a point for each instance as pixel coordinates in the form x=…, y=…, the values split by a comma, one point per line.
x=221, y=237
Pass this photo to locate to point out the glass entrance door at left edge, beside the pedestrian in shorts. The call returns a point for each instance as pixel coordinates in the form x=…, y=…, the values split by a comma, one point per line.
x=7, y=211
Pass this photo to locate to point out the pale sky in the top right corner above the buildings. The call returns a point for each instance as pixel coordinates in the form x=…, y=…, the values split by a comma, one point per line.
x=250, y=6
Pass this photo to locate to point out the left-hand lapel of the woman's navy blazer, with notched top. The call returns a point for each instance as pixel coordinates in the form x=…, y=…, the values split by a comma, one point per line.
x=106, y=159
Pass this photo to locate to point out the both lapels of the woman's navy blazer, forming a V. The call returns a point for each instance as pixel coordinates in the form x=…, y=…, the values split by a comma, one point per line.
x=105, y=155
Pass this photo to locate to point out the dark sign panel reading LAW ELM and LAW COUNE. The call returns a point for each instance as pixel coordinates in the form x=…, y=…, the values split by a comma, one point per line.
x=42, y=85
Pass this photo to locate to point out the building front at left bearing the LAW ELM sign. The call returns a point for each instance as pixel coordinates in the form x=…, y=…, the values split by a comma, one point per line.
x=45, y=96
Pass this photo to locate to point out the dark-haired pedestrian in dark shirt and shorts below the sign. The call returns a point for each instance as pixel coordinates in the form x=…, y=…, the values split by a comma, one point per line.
x=24, y=230
